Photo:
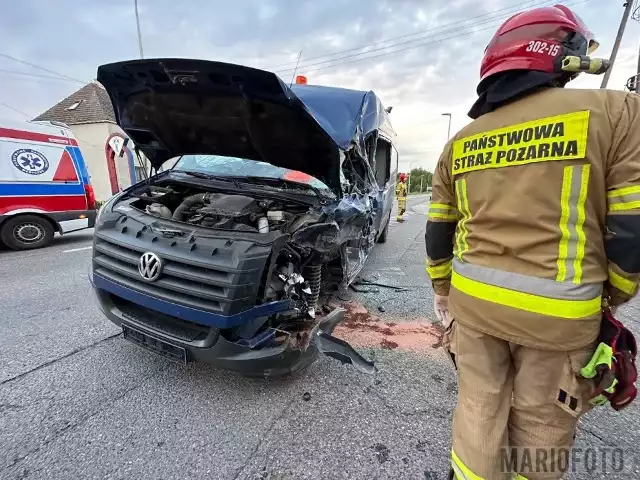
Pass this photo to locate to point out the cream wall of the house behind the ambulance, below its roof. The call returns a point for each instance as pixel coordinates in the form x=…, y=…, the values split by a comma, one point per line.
x=92, y=139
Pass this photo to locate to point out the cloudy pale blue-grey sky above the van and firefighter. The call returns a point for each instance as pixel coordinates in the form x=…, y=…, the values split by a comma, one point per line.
x=420, y=56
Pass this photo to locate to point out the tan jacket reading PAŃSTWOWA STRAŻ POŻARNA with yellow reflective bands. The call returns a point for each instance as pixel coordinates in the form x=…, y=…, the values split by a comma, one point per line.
x=535, y=216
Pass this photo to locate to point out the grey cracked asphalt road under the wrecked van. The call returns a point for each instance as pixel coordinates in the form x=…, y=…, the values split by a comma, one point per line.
x=77, y=401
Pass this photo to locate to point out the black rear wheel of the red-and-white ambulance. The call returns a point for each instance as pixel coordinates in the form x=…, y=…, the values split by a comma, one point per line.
x=26, y=232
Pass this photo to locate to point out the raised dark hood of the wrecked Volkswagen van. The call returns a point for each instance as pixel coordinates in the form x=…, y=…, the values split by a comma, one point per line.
x=172, y=107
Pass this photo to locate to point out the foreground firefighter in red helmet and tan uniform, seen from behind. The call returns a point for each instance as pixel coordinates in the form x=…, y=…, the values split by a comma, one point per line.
x=534, y=224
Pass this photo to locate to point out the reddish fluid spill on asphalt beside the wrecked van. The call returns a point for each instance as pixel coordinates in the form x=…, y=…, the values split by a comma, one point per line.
x=363, y=329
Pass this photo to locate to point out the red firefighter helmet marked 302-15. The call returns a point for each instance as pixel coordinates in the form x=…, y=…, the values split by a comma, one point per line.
x=538, y=39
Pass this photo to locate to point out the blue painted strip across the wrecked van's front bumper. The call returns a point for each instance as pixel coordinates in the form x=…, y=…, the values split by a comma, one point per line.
x=188, y=313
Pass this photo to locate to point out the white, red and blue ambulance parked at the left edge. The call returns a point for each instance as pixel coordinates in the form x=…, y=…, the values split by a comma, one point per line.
x=44, y=184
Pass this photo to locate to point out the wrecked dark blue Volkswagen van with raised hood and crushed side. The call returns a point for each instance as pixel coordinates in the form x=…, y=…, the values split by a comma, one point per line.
x=274, y=197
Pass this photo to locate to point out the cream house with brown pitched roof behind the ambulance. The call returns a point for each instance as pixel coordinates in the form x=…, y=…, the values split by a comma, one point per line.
x=108, y=152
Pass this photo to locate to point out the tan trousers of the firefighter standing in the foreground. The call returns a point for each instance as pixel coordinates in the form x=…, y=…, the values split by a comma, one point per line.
x=517, y=408
